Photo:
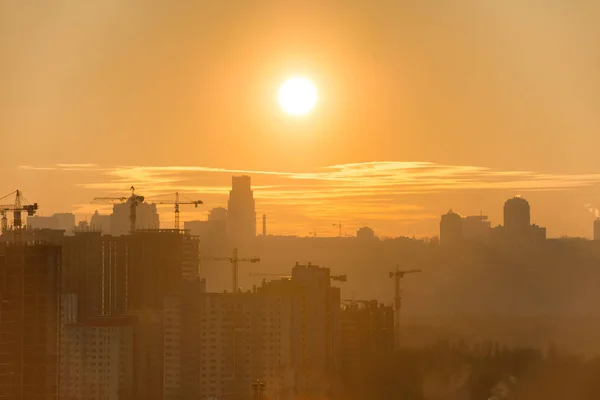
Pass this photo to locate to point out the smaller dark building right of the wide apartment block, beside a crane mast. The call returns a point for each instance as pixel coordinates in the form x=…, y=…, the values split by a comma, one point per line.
x=367, y=334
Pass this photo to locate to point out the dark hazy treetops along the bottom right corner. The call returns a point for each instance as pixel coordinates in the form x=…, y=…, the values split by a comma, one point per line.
x=455, y=371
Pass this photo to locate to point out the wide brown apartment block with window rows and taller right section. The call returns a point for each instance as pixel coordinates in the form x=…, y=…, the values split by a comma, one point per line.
x=284, y=333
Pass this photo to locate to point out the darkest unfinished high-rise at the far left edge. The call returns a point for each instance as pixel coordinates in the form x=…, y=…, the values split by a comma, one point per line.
x=29, y=321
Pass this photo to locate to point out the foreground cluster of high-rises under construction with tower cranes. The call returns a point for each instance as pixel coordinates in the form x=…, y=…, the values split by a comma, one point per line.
x=70, y=298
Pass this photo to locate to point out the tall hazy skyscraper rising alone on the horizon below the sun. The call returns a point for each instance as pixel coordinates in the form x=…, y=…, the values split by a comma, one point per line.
x=241, y=213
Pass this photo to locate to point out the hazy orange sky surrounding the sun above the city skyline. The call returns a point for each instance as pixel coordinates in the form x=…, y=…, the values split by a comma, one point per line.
x=498, y=98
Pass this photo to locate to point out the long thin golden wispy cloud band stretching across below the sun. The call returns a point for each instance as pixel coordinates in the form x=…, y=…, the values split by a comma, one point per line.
x=358, y=179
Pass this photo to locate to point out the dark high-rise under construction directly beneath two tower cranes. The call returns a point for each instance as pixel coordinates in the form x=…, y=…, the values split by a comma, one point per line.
x=162, y=268
